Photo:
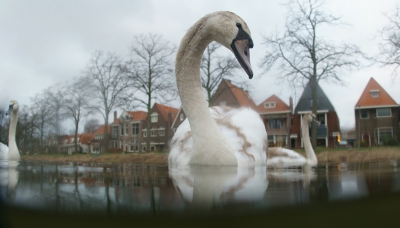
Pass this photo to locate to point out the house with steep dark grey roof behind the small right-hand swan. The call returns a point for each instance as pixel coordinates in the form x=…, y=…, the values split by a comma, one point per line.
x=329, y=129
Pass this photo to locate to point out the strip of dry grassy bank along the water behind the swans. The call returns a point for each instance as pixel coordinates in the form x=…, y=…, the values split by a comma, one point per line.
x=324, y=155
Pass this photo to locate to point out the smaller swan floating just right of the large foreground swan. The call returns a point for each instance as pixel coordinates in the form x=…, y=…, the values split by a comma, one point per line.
x=282, y=158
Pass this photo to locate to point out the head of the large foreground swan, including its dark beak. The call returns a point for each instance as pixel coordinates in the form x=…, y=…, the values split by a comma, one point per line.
x=232, y=31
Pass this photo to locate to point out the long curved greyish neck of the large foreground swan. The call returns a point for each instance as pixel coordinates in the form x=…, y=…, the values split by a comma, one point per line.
x=210, y=147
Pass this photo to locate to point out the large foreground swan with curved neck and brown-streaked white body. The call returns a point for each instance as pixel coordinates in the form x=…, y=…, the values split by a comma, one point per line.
x=217, y=135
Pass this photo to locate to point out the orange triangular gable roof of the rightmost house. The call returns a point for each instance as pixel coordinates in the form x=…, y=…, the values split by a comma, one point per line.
x=367, y=101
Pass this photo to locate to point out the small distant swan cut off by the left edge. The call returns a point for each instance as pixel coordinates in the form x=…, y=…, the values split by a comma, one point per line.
x=11, y=152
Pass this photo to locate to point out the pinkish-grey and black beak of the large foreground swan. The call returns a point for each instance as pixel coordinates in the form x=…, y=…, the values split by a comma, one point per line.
x=242, y=52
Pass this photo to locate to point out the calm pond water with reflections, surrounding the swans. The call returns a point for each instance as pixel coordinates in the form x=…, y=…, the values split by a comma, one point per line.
x=154, y=189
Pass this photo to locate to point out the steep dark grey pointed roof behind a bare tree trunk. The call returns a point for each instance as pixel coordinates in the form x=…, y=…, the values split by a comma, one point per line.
x=304, y=102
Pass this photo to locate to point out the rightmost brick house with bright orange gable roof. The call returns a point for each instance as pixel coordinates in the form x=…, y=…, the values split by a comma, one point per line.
x=376, y=115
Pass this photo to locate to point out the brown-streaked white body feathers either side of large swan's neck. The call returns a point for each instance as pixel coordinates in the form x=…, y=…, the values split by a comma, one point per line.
x=242, y=127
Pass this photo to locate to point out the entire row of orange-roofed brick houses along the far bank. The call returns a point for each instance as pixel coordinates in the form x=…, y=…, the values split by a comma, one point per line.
x=376, y=114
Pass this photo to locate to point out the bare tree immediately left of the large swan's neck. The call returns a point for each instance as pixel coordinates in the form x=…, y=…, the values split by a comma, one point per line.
x=150, y=70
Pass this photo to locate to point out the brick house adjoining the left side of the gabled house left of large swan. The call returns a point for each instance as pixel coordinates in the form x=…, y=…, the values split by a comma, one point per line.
x=126, y=131
